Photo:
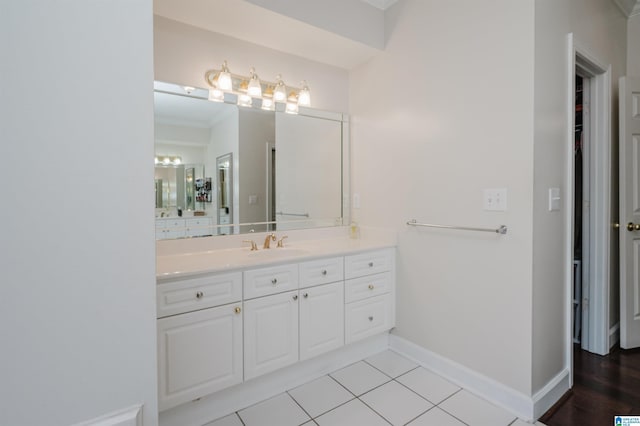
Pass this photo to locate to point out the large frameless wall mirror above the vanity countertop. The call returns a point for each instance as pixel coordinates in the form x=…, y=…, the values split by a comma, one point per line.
x=223, y=169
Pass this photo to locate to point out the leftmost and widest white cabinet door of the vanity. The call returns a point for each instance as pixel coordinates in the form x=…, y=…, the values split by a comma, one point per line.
x=198, y=353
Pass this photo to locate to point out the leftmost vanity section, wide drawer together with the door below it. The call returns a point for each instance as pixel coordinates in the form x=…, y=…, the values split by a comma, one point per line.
x=199, y=337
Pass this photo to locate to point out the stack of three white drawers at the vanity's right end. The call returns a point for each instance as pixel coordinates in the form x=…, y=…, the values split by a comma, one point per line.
x=369, y=294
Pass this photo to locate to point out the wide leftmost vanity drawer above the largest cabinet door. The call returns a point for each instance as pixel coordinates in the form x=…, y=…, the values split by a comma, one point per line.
x=198, y=293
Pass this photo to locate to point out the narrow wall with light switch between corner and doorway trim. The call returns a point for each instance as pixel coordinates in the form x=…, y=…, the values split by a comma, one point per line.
x=550, y=159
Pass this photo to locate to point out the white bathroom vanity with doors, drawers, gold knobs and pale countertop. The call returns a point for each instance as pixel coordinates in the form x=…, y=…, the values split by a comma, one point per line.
x=227, y=317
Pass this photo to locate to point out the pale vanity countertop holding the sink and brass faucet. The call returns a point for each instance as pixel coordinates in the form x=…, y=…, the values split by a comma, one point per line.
x=186, y=263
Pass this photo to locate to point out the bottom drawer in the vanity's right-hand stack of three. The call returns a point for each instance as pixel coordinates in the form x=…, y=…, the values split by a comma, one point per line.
x=367, y=317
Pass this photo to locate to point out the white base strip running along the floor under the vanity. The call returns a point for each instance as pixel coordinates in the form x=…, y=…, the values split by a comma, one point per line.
x=229, y=400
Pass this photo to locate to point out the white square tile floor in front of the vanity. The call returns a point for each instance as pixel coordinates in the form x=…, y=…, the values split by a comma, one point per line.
x=385, y=389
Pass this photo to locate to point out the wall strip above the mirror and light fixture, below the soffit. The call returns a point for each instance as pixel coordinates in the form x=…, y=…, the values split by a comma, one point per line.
x=182, y=54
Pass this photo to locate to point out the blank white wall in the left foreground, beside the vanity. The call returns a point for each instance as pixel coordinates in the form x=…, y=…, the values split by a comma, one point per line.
x=77, y=300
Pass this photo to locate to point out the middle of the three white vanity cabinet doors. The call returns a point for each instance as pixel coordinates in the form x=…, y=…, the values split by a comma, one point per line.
x=270, y=333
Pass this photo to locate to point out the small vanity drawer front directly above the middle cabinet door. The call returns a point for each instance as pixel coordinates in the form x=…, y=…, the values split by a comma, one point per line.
x=271, y=280
